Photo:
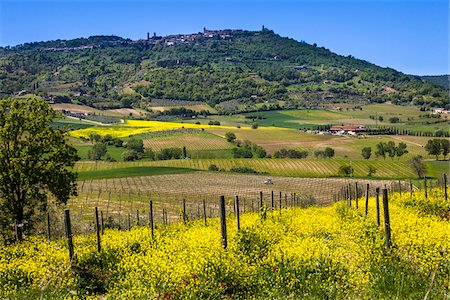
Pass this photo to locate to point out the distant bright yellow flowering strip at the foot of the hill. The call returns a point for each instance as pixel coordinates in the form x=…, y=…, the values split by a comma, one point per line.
x=134, y=127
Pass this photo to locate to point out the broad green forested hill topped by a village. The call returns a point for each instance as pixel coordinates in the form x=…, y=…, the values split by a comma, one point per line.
x=231, y=70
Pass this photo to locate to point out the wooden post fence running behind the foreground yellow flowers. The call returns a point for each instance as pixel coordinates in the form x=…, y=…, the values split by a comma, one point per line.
x=158, y=215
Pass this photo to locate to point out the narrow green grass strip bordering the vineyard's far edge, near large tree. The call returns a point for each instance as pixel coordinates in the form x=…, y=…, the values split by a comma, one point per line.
x=131, y=172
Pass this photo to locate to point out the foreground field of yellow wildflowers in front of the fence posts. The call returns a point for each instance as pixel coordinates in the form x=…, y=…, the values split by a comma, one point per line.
x=331, y=252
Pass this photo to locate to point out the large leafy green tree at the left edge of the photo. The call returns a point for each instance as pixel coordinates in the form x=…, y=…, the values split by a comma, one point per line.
x=35, y=161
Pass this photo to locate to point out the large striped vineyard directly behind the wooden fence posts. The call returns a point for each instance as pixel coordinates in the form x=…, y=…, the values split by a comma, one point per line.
x=120, y=197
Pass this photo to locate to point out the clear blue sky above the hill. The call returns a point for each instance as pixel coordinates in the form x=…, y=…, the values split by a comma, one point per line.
x=411, y=36
